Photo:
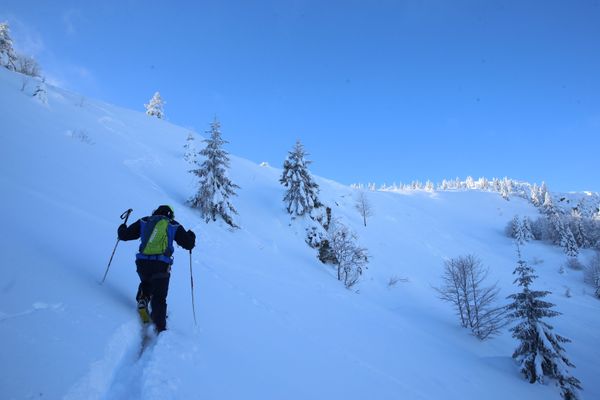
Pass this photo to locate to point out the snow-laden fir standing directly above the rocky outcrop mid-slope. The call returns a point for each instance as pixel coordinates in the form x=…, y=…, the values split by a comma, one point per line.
x=302, y=192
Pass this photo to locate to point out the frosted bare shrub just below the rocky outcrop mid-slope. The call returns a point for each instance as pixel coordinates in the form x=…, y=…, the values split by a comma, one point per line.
x=350, y=258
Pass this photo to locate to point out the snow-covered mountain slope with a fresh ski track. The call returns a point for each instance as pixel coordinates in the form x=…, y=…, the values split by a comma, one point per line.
x=273, y=323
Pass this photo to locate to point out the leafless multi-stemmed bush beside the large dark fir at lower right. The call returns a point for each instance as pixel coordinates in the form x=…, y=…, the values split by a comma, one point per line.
x=462, y=286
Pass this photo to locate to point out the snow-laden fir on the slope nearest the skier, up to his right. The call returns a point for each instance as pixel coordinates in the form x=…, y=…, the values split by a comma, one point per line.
x=215, y=188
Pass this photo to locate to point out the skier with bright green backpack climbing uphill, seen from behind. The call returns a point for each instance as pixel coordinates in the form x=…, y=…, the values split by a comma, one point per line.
x=154, y=260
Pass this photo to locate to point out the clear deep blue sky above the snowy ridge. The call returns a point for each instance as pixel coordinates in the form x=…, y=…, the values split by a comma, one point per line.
x=378, y=91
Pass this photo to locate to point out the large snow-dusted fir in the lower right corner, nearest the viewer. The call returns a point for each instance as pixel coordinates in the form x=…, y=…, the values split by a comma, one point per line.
x=540, y=352
